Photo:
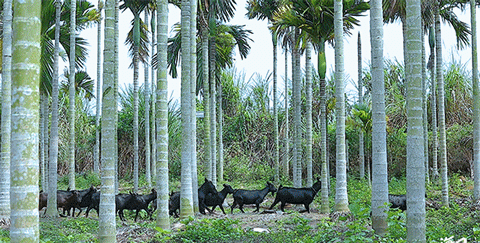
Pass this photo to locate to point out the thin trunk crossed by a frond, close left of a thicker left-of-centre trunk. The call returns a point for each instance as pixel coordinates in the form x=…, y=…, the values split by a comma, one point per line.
x=153, y=129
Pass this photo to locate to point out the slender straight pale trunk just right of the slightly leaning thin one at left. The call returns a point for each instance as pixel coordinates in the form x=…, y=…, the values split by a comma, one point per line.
x=71, y=89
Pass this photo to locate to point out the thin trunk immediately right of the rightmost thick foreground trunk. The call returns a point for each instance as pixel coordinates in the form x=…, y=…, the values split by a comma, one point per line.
x=424, y=107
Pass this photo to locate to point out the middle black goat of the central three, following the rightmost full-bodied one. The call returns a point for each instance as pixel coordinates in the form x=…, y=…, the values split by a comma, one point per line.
x=242, y=197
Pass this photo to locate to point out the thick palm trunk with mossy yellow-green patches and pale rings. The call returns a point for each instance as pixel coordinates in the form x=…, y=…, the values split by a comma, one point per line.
x=25, y=118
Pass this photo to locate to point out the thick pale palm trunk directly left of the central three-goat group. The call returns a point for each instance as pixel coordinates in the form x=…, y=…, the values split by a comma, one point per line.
x=186, y=197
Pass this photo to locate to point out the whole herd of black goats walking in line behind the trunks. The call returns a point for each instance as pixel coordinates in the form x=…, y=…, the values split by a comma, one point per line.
x=208, y=196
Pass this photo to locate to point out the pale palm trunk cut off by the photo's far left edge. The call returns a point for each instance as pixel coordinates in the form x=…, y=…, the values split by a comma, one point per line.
x=6, y=111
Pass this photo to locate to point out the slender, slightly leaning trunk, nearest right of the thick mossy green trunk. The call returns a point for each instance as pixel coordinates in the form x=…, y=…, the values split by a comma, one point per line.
x=53, y=154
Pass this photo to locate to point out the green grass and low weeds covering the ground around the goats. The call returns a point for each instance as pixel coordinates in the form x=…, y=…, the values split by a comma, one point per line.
x=460, y=220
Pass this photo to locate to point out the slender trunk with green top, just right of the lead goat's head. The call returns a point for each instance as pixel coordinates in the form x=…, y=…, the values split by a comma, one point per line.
x=321, y=62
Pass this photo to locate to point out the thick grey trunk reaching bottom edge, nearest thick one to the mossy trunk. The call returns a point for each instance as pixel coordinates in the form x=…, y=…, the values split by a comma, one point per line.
x=107, y=224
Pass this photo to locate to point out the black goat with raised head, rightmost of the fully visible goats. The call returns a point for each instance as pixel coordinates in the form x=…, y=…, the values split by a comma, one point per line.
x=293, y=195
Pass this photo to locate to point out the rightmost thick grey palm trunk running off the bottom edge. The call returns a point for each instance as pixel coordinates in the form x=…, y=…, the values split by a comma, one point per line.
x=415, y=153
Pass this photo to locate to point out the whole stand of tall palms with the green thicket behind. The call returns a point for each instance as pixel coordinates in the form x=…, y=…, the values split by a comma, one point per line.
x=389, y=123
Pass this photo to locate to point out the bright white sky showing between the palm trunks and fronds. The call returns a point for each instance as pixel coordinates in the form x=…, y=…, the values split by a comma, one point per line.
x=260, y=59
